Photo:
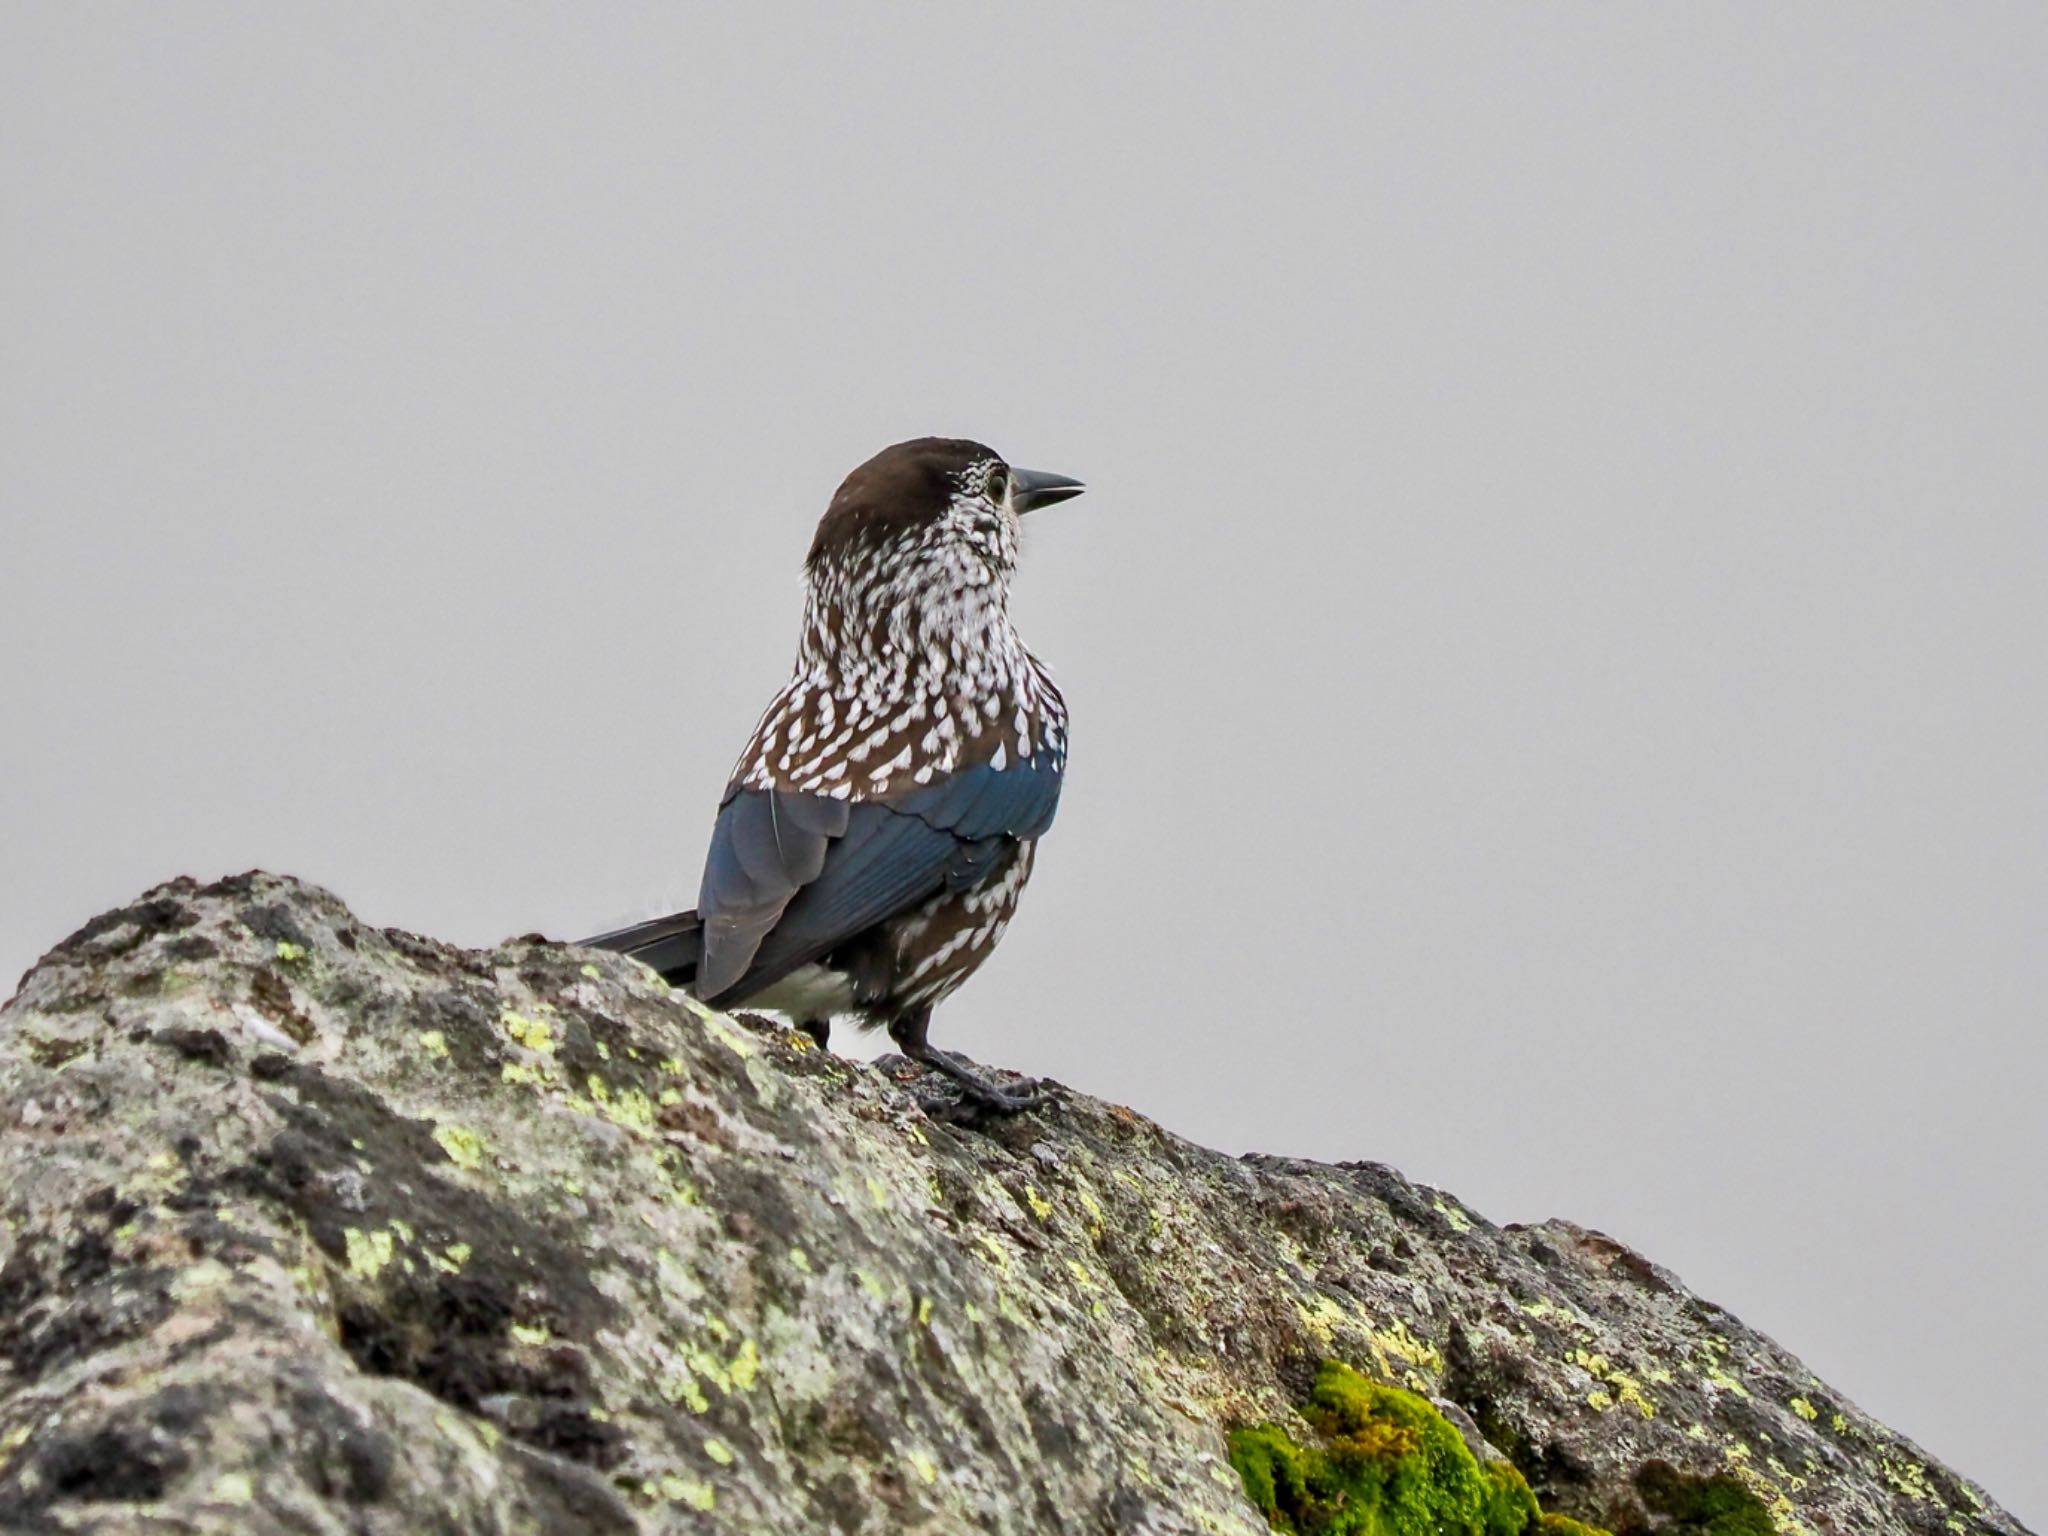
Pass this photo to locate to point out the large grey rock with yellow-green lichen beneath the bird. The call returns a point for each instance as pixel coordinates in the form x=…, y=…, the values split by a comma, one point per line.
x=312, y=1228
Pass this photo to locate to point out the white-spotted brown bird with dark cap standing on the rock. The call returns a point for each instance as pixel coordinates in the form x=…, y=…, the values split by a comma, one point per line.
x=886, y=816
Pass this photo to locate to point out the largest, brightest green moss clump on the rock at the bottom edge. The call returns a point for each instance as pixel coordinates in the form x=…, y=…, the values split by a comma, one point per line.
x=1385, y=1465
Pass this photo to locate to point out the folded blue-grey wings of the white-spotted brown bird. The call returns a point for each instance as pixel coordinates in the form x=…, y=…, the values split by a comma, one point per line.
x=878, y=861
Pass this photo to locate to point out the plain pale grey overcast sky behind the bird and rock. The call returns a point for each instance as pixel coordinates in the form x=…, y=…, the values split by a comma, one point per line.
x=1558, y=636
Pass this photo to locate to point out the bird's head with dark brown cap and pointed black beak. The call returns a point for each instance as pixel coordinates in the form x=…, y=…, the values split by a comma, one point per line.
x=935, y=511
